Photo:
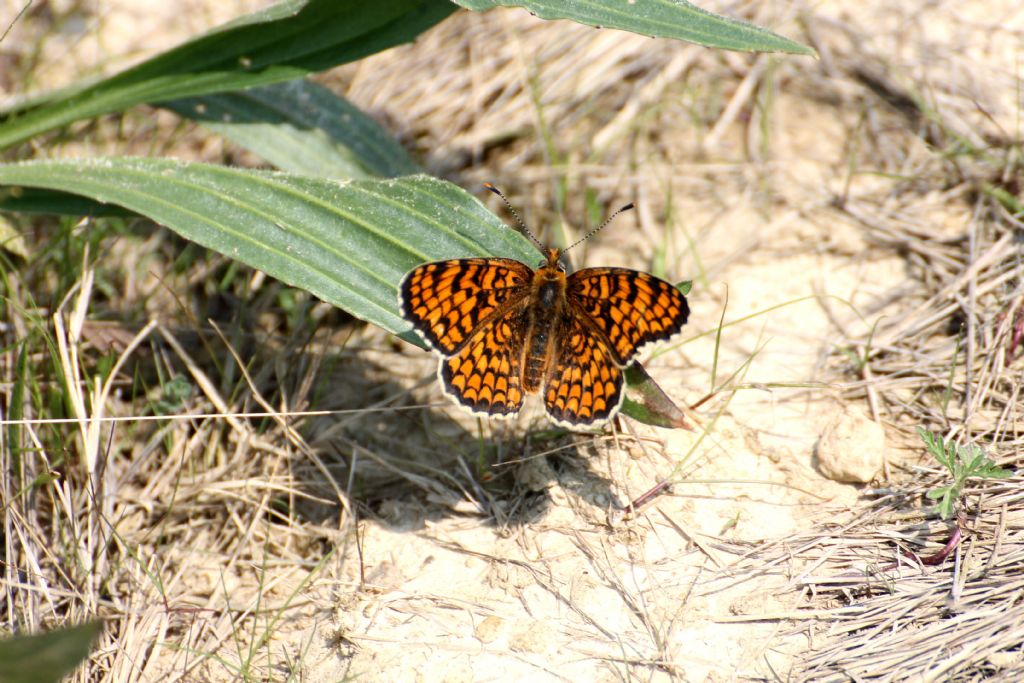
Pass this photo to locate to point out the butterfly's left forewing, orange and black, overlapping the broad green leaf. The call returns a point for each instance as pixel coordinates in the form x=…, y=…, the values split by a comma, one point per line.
x=446, y=302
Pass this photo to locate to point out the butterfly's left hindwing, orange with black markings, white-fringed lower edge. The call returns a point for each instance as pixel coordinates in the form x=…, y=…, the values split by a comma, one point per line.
x=487, y=375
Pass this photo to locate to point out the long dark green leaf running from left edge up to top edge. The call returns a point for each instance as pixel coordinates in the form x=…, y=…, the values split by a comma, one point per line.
x=283, y=42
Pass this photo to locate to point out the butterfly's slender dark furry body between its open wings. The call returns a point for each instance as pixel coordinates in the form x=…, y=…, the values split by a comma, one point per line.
x=547, y=311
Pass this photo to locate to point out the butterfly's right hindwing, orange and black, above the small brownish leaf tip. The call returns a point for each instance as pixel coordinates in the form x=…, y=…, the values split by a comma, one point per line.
x=586, y=385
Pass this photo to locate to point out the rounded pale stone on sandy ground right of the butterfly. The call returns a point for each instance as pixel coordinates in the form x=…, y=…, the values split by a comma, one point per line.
x=852, y=448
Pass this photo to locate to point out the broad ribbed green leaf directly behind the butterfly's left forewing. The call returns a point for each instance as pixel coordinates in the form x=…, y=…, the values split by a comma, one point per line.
x=348, y=243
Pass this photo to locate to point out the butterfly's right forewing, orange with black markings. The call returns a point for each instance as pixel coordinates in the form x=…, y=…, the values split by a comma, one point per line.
x=632, y=309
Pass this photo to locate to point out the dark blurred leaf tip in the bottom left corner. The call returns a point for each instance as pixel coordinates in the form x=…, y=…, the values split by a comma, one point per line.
x=47, y=658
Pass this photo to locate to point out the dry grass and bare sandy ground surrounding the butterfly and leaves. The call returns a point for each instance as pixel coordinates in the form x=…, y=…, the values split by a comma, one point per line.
x=860, y=203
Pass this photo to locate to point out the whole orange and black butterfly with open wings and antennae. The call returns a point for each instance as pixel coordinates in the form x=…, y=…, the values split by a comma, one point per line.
x=505, y=330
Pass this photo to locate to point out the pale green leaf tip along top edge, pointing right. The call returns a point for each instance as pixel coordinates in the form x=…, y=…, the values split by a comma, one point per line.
x=659, y=19
